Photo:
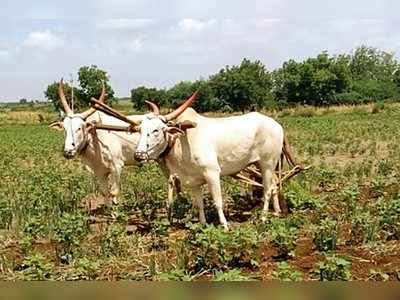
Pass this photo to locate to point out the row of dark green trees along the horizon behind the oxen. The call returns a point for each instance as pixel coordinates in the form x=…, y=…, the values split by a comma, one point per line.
x=365, y=75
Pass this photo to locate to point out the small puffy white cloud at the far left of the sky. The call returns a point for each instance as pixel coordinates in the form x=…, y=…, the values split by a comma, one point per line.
x=44, y=40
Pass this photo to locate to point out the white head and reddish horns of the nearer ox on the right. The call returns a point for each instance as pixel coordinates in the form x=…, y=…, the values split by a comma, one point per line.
x=156, y=132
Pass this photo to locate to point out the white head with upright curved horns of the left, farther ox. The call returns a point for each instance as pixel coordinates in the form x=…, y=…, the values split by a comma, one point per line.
x=75, y=127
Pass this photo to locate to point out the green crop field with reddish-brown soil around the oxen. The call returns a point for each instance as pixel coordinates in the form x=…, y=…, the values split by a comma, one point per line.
x=344, y=222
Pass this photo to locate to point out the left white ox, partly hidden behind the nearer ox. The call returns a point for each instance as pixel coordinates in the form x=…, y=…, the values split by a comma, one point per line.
x=104, y=153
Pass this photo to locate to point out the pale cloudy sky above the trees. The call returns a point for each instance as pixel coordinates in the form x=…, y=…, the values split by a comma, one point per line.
x=159, y=43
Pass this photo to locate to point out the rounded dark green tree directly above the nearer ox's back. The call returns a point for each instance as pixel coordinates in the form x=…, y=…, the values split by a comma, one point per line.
x=243, y=86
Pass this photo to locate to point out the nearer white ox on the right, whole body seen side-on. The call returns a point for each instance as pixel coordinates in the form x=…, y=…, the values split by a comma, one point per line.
x=211, y=148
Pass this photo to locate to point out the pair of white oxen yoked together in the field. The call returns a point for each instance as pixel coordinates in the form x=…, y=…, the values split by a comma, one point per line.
x=196, y=149
